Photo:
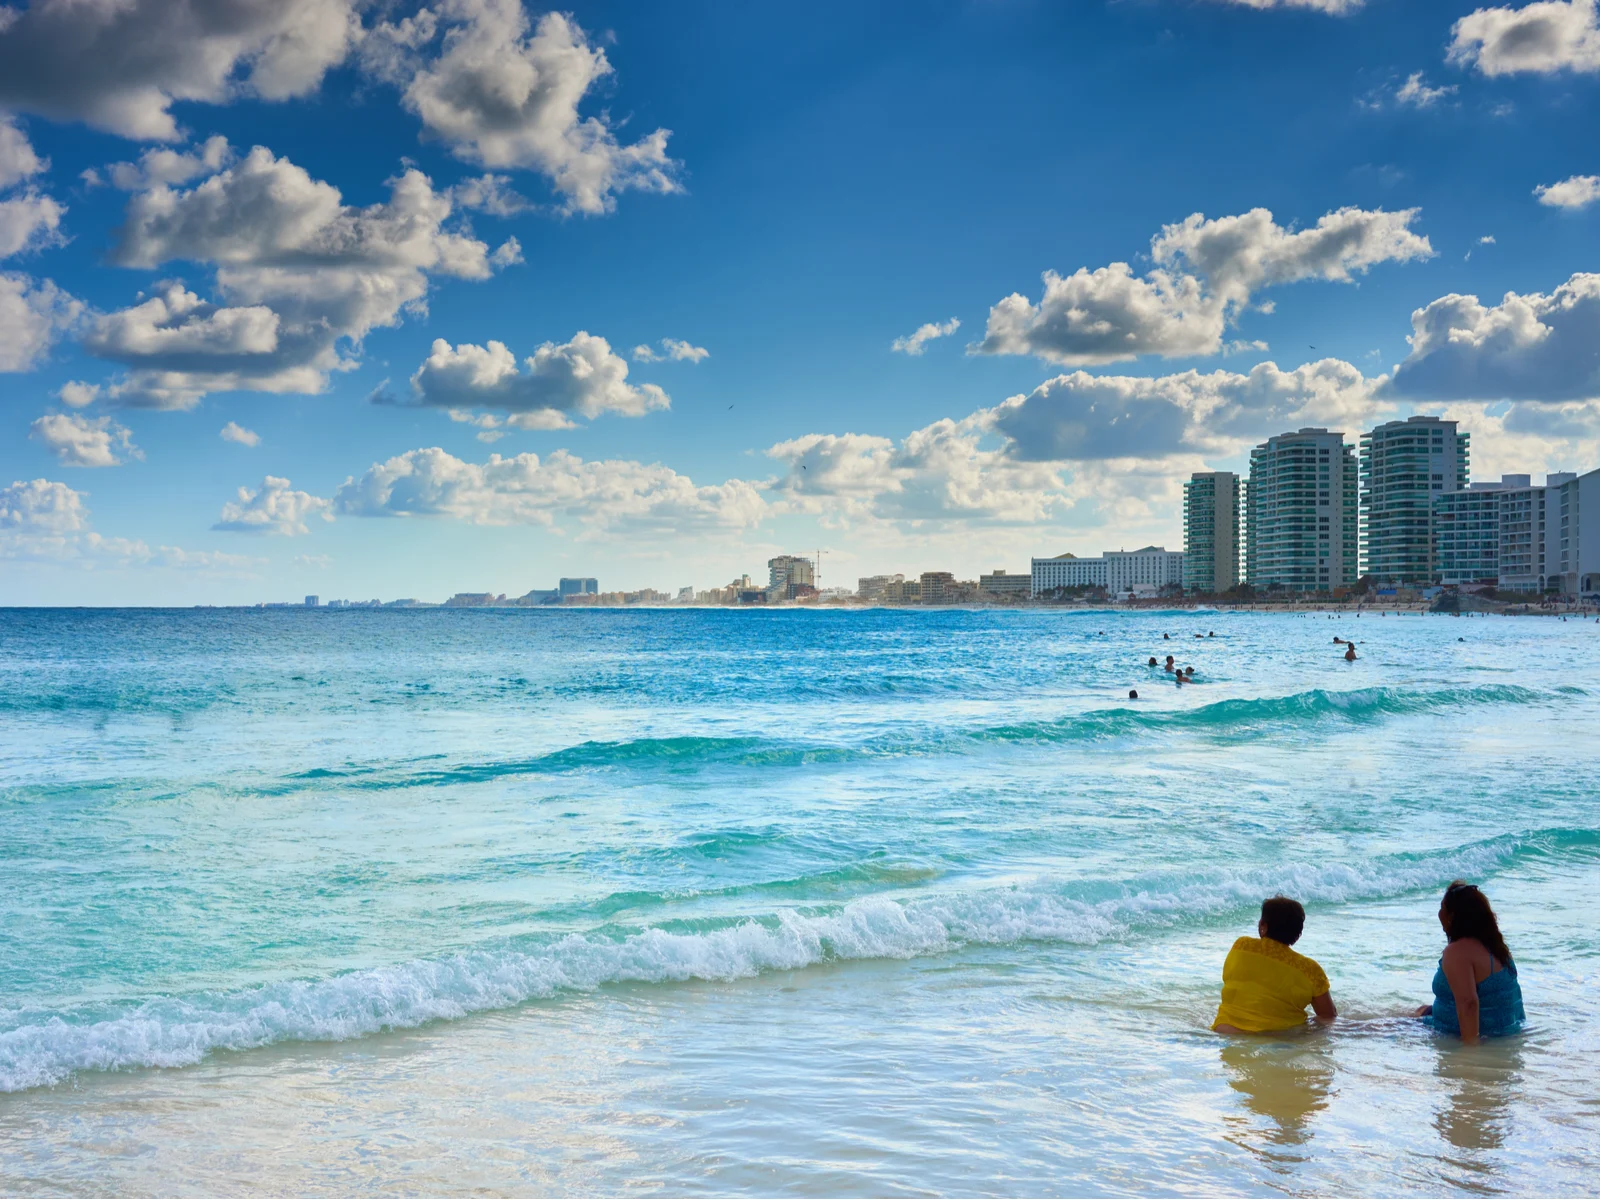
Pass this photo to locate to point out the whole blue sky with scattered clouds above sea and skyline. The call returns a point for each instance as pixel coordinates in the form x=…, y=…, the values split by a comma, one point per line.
x=703, y=239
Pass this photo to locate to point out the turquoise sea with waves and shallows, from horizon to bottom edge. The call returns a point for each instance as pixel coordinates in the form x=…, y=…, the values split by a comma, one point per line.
x=783, y=903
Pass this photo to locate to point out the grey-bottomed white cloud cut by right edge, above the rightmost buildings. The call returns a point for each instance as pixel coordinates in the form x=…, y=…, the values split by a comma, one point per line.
x=1538, y=348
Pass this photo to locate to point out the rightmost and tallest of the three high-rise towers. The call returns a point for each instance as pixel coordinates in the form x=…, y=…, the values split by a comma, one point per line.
x=1406, y=465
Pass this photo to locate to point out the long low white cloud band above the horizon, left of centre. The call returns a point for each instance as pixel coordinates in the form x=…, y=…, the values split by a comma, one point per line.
x=529, y=490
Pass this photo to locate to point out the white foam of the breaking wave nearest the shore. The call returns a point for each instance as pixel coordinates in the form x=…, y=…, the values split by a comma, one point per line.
x=170, y=1033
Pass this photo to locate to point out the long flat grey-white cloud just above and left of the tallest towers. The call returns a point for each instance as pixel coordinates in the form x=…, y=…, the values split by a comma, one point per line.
x=1081, y=417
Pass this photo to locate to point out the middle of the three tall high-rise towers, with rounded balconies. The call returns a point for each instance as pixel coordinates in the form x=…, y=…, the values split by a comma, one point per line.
x=1302, y=524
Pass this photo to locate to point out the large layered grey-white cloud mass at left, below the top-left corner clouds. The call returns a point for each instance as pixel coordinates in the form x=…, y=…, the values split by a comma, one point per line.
x=298, y=271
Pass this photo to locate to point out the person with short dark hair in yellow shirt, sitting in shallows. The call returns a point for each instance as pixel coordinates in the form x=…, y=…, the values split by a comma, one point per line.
x=1266, y=986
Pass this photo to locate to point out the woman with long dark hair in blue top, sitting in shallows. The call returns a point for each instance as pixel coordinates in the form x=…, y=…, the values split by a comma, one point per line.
x=1476, y=991
